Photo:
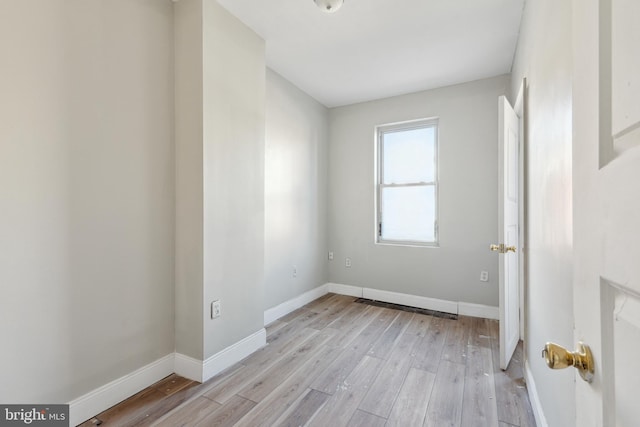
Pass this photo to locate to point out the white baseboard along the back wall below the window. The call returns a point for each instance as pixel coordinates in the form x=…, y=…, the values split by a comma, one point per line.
x=453, y=307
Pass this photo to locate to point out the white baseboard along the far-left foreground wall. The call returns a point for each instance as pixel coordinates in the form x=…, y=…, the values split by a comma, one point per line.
x=104, y=397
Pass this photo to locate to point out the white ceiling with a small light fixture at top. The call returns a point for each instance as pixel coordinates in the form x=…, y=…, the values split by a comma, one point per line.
x=372, y=49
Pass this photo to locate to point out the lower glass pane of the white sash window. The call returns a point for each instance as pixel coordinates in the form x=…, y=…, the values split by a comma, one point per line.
x=408, y=213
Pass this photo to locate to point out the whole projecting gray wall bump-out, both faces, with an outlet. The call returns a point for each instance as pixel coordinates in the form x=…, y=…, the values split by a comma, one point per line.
x=220, y=109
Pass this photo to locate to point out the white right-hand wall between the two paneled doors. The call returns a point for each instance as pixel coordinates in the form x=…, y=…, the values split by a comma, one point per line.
x=544, y=57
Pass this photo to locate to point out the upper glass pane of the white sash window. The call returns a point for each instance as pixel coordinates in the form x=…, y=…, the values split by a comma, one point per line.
x=409, y=156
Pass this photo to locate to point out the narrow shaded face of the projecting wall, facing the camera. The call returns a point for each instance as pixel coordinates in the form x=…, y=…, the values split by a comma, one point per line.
x=189, y=167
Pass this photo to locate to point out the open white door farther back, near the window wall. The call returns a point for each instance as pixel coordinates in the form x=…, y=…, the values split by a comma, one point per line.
x=508, y=214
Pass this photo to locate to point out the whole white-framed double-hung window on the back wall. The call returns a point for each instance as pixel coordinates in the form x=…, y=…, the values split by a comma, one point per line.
x=407, y=198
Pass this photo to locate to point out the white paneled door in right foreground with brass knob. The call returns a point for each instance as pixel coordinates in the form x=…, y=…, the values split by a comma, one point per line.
x=606, y=170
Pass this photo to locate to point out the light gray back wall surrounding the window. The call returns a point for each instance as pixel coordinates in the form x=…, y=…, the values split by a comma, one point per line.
x=468, y=157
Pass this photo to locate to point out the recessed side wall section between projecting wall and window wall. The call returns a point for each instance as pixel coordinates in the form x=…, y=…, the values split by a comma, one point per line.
x=297, y=129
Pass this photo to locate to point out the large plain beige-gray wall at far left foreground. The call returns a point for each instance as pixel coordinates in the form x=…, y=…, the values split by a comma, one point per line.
x=86, y=194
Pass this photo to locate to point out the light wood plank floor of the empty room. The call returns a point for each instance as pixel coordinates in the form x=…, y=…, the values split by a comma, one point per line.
x=336, y=362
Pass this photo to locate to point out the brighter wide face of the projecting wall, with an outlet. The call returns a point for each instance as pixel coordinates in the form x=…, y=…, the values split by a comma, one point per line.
x=234, y=123
